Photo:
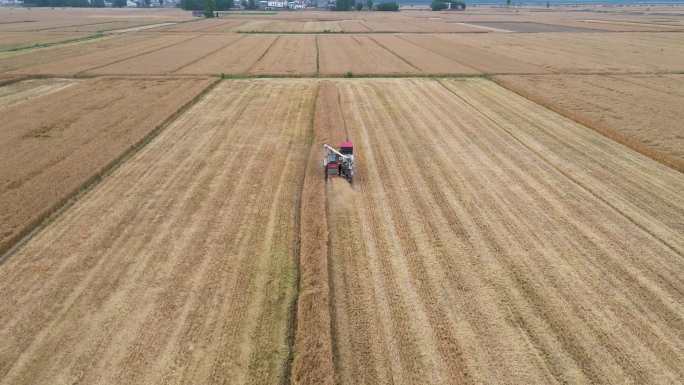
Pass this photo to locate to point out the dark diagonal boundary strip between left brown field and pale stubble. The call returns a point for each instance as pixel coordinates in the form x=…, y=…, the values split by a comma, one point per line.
x=52, y=213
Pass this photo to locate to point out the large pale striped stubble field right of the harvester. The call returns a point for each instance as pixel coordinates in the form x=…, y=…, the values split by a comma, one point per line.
x=476, y=246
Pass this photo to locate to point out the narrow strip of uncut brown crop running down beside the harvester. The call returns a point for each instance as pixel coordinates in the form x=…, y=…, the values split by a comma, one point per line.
x=313, y=359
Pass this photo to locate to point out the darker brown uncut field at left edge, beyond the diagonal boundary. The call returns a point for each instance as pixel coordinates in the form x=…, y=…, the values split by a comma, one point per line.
x=52, y=144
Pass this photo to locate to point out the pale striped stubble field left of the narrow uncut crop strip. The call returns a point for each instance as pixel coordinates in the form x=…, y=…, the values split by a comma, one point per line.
x=180, y=266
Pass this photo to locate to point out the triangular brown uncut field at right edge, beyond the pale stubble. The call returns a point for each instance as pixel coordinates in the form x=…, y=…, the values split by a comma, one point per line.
x=641, y=111
